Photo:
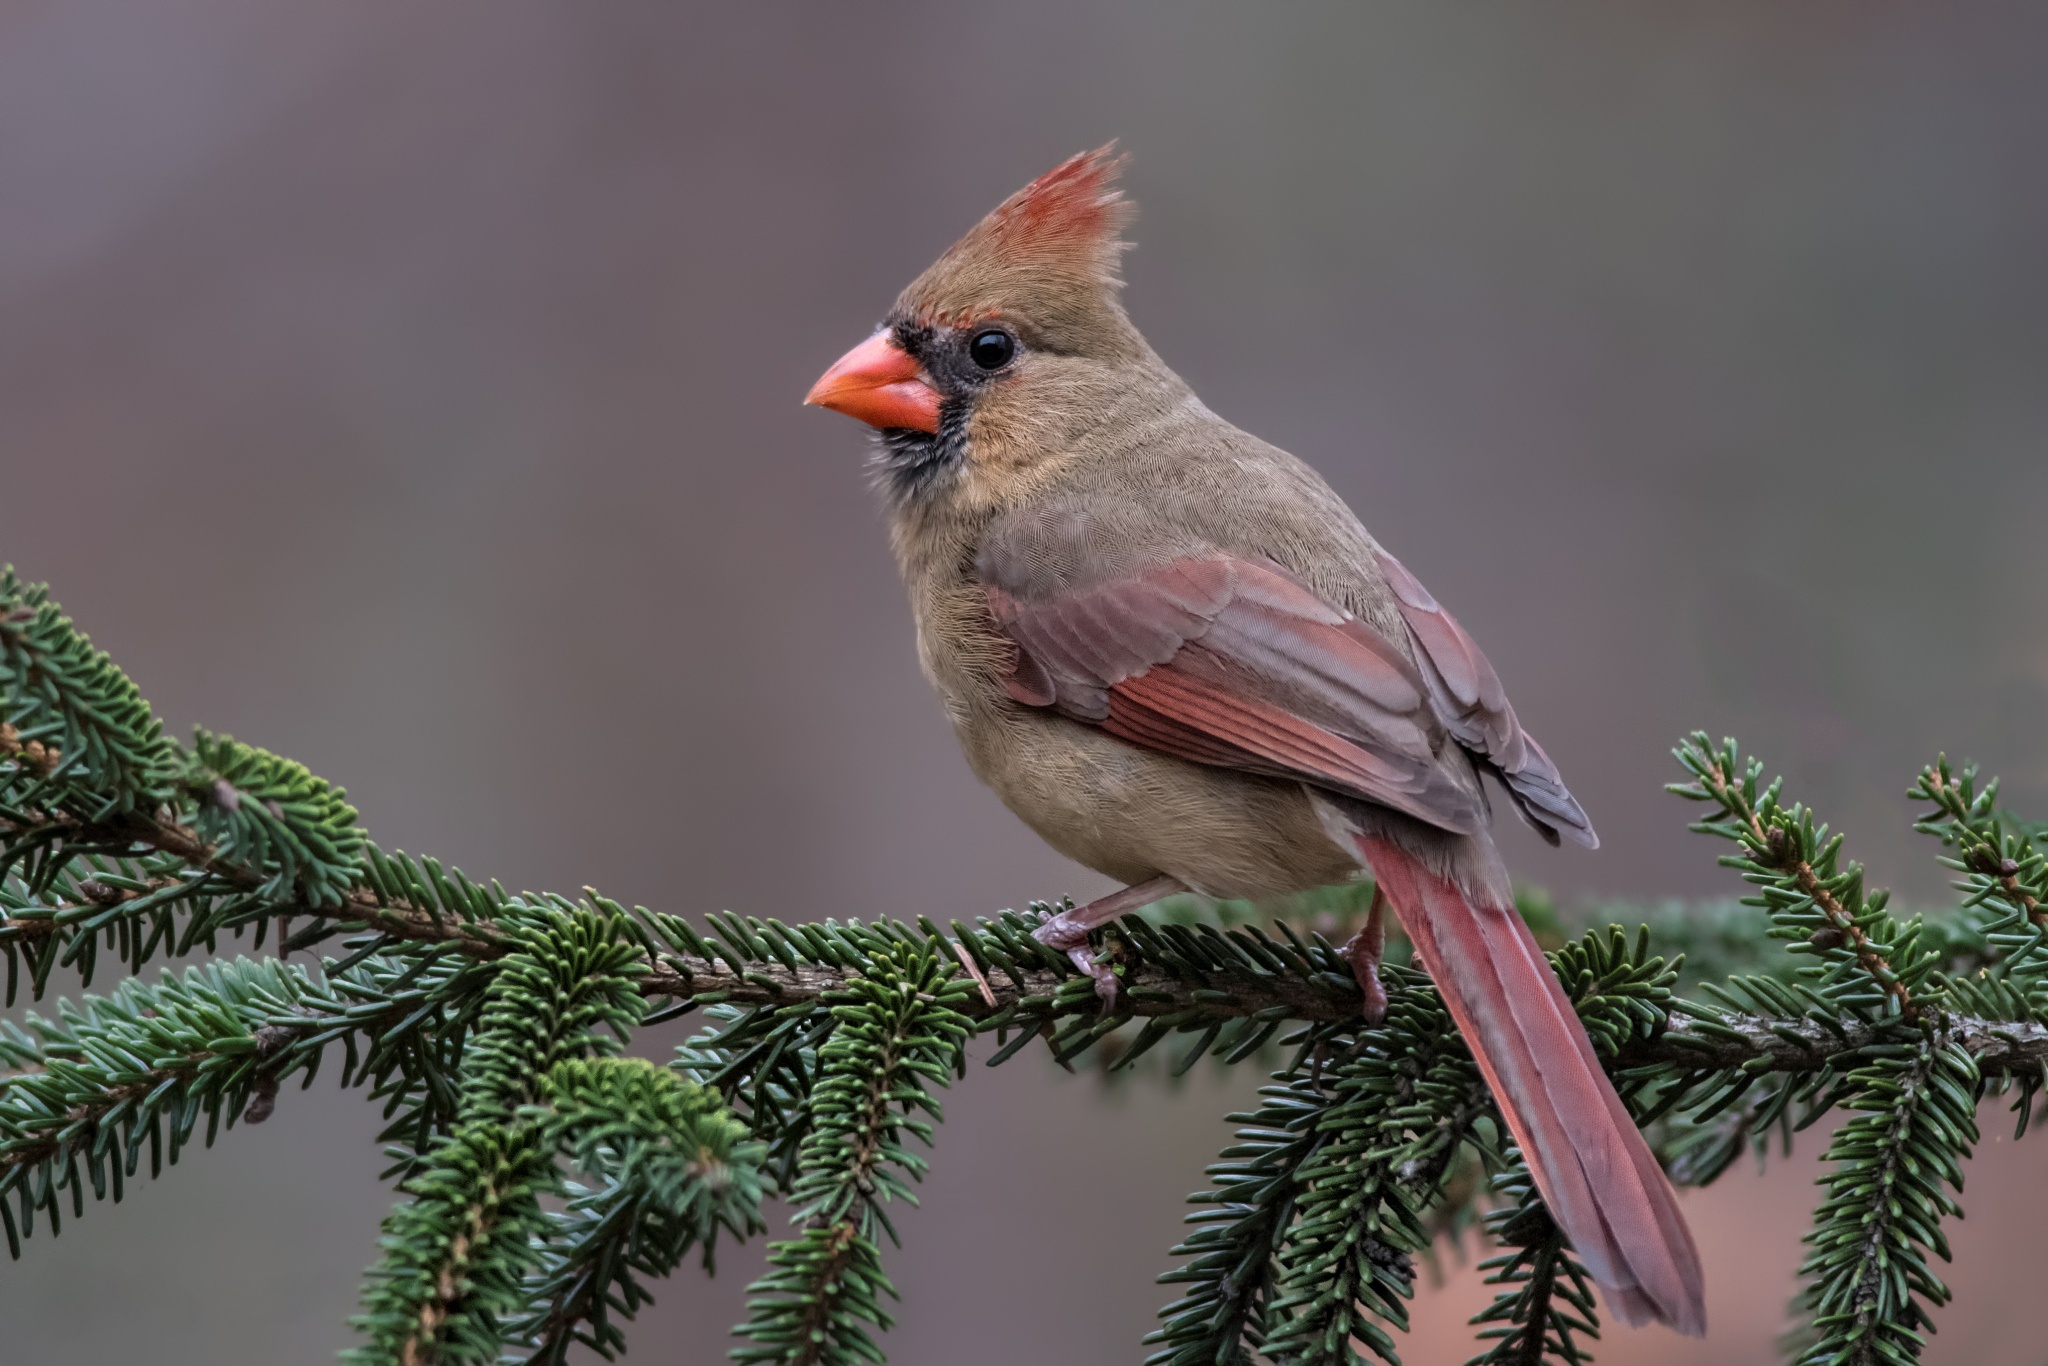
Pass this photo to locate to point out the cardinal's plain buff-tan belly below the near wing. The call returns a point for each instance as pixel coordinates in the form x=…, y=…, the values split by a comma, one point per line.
x=1136, y=814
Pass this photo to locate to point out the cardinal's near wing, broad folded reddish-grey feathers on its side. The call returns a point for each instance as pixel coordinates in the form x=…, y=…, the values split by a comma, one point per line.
x=1236, y=663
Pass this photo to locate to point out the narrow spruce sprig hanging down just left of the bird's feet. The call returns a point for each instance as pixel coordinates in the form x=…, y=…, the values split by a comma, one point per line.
x=896, y=1033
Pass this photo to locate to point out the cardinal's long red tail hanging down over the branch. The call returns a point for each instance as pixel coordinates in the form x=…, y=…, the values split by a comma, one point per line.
x=1590, y=1162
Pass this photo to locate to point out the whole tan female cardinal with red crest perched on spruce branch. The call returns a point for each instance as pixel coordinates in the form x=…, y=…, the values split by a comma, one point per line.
x=1179, y=656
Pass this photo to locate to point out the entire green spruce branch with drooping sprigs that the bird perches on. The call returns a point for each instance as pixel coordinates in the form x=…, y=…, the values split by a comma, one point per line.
x=484, y=1023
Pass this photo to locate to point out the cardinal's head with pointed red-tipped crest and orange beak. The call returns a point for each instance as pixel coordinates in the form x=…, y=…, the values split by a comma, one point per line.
x=1009, y=345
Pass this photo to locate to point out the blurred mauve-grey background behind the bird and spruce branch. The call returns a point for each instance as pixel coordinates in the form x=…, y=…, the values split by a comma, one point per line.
x=415, y=390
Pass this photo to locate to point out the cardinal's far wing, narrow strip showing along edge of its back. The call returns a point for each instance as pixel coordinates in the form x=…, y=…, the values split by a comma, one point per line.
x=1469, y=699
